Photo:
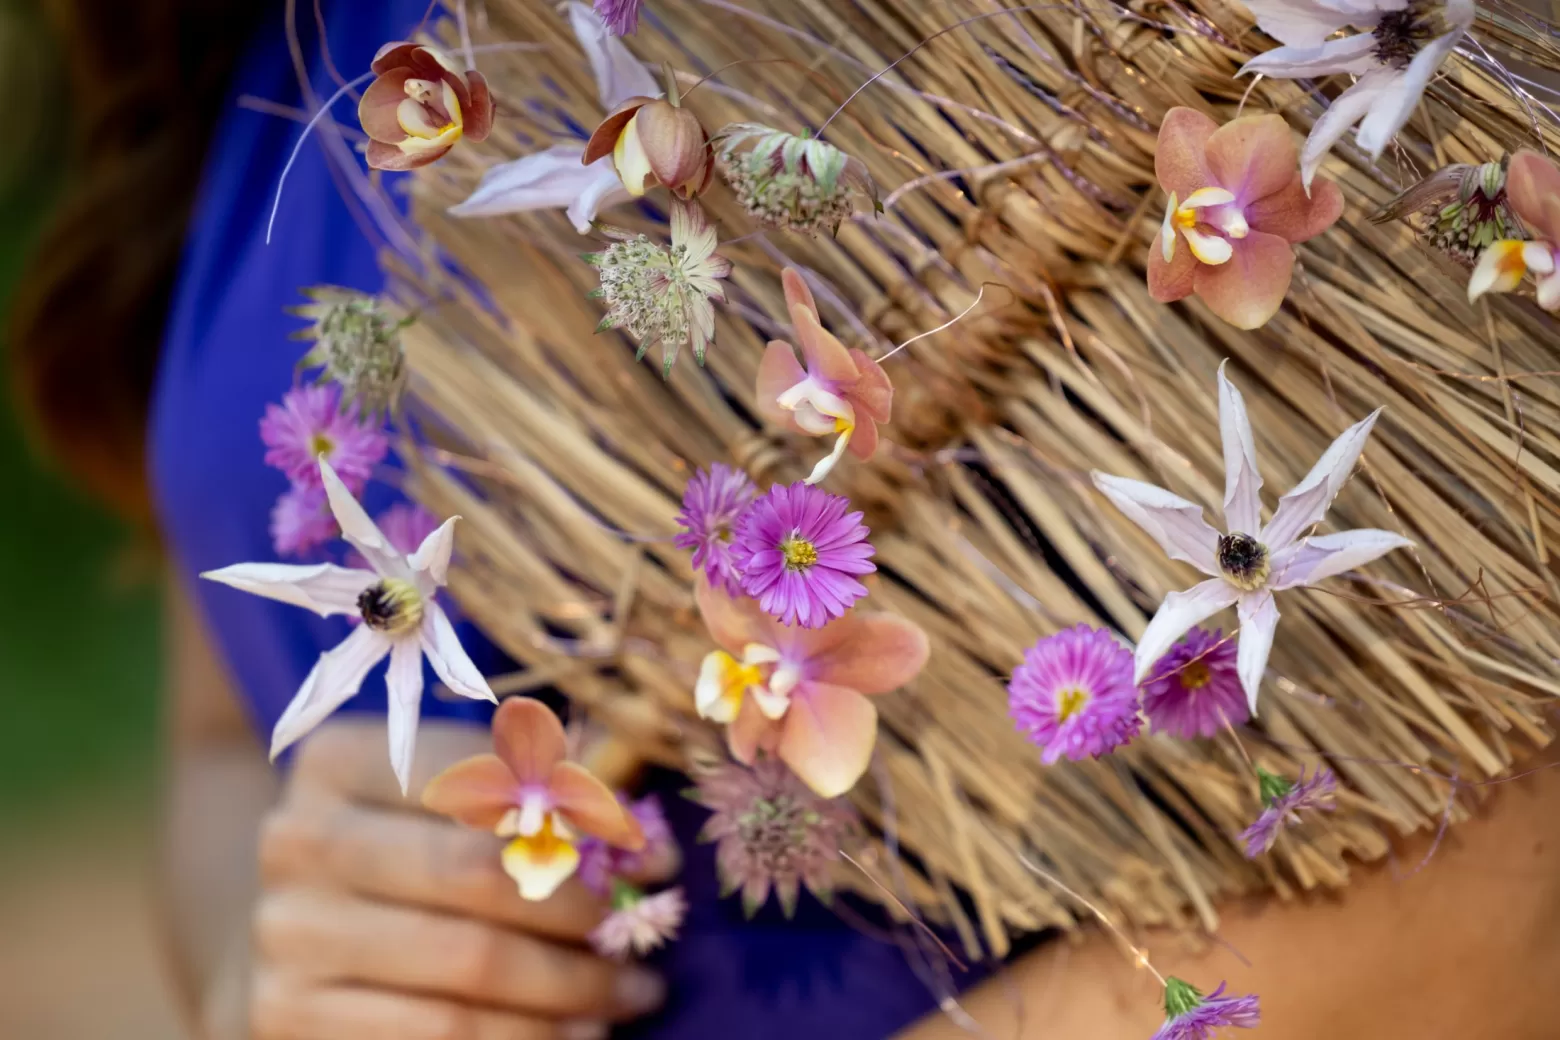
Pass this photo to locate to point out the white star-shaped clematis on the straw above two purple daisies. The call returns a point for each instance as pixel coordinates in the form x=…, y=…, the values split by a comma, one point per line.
x=1252, y=562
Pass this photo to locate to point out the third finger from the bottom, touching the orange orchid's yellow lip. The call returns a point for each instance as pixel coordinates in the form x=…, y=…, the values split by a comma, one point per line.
x=406, y=858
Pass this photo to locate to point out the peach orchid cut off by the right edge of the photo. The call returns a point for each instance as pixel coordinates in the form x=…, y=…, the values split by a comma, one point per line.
x=1533, y=188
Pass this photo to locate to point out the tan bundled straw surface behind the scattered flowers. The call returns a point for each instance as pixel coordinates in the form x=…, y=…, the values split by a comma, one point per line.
x=1417, y=679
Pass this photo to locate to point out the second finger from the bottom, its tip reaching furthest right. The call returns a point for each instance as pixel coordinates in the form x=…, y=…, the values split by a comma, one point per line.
x=341, y=938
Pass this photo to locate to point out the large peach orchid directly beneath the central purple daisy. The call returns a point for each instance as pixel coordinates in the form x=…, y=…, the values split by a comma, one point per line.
x=803, y=693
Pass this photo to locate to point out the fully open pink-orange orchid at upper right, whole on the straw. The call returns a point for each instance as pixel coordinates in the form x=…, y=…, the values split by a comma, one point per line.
x=1238, y=207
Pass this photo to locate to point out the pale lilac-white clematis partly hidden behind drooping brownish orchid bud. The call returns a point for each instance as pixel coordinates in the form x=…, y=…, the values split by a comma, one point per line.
x=556, y=179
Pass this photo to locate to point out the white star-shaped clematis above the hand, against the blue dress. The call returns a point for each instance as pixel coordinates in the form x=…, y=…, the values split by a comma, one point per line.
x=402, y=620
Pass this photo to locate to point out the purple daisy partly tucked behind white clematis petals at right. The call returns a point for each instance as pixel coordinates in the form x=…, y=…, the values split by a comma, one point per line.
x=1196, y=687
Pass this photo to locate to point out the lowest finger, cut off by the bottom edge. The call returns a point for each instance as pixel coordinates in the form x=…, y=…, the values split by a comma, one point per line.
x=297, y=1010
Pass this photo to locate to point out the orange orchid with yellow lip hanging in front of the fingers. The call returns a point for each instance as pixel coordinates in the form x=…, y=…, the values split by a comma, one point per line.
x=530, y=794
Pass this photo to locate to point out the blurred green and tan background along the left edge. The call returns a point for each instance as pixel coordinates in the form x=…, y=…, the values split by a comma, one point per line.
x=79, y=656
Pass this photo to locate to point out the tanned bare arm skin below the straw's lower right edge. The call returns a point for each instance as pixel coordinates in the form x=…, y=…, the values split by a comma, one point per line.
x=1466, y=947
